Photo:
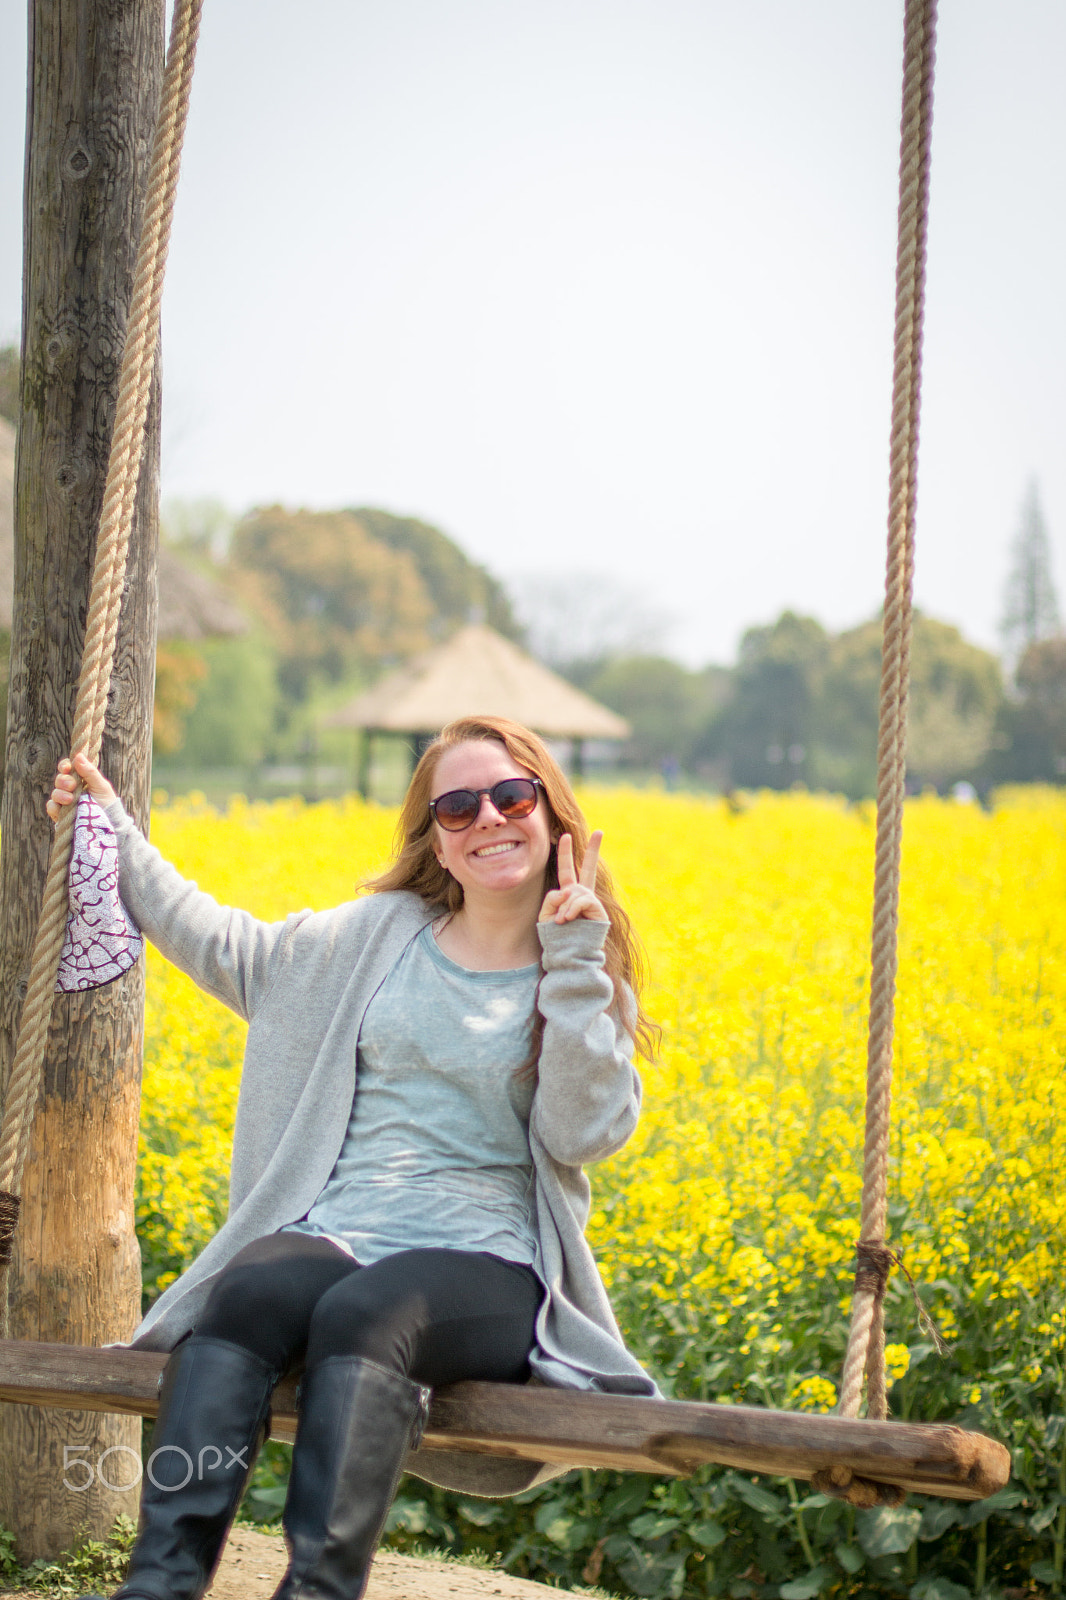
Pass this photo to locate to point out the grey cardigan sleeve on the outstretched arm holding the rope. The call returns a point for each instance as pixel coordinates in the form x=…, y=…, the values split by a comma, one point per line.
x=226, y=953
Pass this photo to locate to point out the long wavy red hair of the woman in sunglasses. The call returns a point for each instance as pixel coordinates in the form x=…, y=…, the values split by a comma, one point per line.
x=419, y=871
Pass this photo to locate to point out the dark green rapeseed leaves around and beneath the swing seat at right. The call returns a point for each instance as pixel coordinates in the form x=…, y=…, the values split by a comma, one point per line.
x=724, y=1534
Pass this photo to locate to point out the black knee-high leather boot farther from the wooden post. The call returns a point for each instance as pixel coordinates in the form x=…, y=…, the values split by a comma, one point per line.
x=356, y=1425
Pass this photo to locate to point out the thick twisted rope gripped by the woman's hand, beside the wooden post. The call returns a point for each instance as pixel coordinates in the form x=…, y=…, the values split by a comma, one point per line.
x=102, y=628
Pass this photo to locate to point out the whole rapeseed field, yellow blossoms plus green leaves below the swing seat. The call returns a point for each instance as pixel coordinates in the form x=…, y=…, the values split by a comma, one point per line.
x=726, y=1230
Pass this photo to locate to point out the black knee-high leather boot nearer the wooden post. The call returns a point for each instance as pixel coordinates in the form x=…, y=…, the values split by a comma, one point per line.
x=212, y=1415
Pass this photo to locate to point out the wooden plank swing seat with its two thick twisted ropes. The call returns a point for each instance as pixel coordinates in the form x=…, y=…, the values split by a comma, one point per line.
x=865, y=1462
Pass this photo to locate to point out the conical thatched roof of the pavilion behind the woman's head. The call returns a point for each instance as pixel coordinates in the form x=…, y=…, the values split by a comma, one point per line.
x=479, y=673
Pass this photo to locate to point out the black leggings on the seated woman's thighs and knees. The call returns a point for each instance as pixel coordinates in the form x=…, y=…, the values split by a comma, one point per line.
x=435, y=1316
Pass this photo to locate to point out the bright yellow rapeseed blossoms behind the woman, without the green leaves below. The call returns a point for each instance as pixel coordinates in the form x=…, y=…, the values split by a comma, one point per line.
x=737, y=1204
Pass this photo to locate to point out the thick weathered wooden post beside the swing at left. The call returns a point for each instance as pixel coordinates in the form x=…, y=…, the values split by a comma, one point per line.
x=95, y=74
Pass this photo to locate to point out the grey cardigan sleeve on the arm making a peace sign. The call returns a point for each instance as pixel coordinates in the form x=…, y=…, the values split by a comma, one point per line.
x=588, y=1095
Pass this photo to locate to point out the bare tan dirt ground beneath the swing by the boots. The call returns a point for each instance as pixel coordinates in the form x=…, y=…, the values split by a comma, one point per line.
x=254, y=1564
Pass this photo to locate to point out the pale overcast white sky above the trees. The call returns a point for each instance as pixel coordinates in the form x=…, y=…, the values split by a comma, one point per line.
x=606, y=287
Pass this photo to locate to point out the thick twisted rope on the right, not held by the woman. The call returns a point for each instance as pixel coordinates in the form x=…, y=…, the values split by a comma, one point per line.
x=867, y=1340
